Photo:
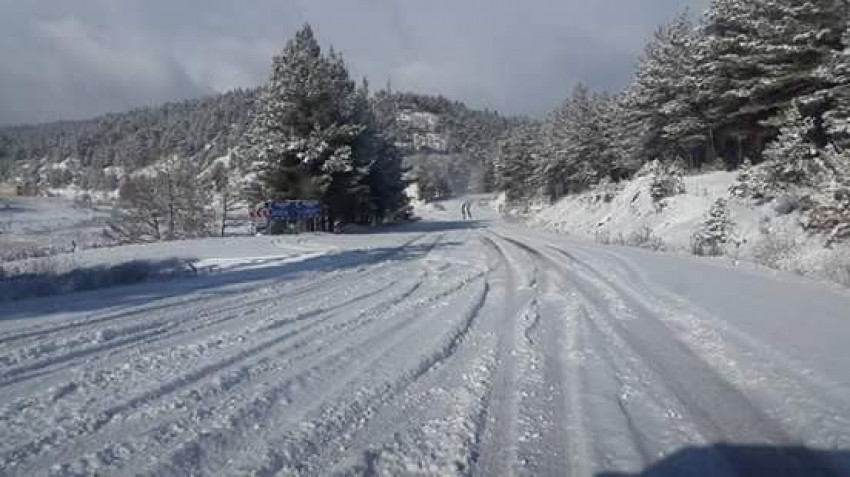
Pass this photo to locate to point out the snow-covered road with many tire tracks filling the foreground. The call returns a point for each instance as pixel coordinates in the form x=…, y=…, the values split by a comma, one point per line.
x=443, y=348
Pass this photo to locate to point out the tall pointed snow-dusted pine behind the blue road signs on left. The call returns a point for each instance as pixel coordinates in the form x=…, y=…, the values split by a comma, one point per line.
x=308, y=130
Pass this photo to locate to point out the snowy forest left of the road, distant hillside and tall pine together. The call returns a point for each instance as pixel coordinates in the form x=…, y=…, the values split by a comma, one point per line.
x=310, y=132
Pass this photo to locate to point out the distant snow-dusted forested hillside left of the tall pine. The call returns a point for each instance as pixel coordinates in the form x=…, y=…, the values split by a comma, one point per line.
x=106, y=148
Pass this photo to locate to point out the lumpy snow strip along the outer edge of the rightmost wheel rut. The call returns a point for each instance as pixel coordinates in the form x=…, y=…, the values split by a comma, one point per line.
x=790, y=398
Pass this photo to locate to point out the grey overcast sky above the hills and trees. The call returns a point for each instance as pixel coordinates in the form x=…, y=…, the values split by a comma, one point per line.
x=64, y=59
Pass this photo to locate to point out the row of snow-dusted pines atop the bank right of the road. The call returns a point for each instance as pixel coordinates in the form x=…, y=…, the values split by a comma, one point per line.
x=717, y=92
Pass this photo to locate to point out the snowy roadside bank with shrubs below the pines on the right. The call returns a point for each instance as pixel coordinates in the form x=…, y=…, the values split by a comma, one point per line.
x=769, y=233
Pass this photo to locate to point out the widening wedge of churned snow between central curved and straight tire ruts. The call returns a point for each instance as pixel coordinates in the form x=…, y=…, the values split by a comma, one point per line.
x=432, y=423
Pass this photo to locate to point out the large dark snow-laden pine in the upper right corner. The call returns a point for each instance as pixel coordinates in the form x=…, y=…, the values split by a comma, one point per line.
x=759, y=57
